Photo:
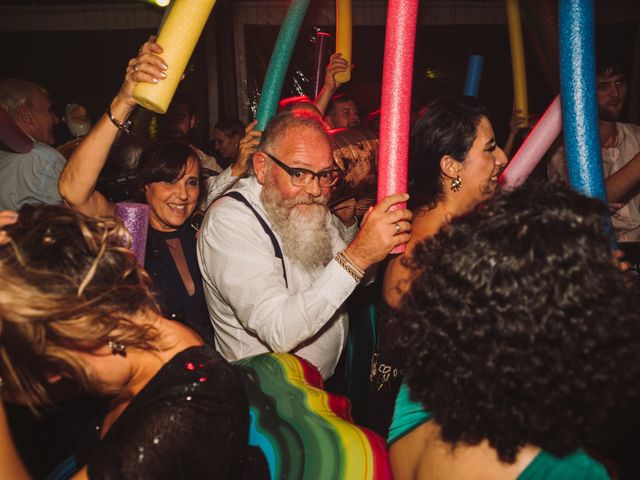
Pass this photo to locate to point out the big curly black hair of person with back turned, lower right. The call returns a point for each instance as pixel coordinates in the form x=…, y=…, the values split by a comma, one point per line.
x=519, y=328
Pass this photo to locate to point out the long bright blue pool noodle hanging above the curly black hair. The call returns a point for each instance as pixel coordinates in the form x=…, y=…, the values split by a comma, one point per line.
x=579, y=107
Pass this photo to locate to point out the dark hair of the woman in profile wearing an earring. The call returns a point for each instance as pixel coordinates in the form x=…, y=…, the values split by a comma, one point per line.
x=447, y=126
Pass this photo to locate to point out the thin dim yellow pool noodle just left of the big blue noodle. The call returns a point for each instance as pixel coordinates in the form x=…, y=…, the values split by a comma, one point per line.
x=517, y=59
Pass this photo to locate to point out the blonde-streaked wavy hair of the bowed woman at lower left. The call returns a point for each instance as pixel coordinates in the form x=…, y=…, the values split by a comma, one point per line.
x=68, y=283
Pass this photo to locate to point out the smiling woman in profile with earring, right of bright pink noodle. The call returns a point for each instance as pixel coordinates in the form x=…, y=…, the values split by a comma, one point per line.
x=454, y=164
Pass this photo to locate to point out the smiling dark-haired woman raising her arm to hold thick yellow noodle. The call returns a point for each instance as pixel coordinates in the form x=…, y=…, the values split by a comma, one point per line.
x=169, y=175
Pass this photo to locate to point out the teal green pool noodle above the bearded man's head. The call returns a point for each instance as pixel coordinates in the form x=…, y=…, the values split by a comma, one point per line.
x=279, y=63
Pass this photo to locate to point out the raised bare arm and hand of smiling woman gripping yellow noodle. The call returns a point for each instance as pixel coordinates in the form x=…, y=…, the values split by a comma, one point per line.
x=78, y=179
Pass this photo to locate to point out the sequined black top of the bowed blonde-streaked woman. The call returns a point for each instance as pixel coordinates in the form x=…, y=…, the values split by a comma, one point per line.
x=190, y=421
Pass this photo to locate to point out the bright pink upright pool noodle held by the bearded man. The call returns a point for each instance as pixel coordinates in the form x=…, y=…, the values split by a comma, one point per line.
x=397, y=77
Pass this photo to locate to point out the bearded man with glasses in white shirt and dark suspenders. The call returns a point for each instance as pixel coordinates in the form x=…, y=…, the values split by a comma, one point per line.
x=277, y=266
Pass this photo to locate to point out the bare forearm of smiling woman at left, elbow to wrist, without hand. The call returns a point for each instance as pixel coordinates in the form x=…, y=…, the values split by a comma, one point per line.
x=80, y=175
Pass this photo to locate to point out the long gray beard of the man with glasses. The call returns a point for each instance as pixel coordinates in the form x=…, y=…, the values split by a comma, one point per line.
x=301, y=223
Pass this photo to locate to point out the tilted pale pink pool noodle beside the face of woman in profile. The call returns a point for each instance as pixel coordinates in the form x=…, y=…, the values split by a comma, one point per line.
x=534, y=147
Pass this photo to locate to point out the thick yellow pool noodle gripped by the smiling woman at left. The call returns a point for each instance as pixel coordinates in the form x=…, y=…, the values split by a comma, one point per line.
x=178, y=37
